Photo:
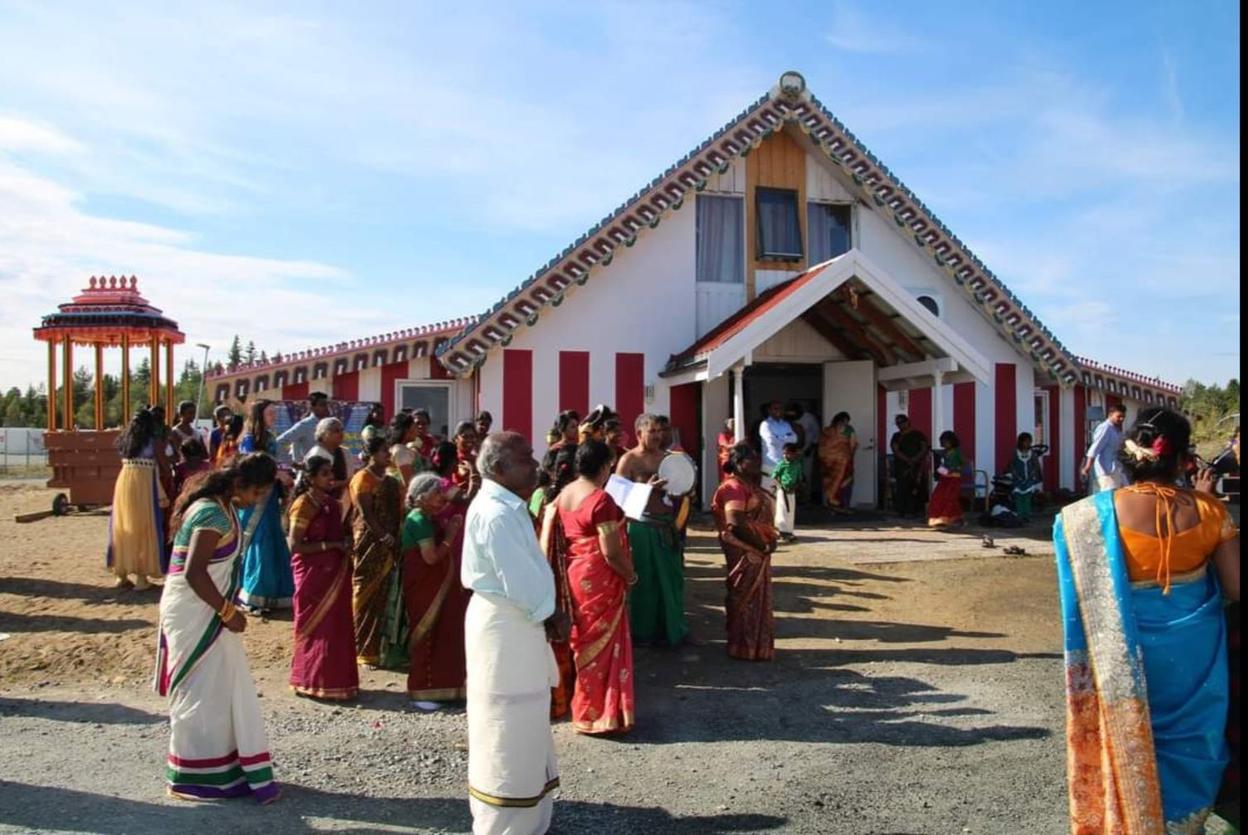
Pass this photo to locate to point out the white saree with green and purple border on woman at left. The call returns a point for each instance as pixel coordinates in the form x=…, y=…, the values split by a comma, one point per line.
x=218, y=742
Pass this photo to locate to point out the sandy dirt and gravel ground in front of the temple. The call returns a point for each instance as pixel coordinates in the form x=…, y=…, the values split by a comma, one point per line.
x=918, y=688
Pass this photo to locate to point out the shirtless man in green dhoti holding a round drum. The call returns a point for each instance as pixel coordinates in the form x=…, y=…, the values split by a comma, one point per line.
x=657, y=610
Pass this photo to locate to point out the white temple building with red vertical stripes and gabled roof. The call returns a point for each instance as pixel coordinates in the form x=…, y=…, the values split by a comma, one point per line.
x=778, y=260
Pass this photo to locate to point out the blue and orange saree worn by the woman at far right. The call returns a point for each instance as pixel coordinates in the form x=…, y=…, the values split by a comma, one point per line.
x=1146, y=685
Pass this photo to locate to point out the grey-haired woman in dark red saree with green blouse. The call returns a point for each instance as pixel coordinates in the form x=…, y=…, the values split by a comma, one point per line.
x=435, y=600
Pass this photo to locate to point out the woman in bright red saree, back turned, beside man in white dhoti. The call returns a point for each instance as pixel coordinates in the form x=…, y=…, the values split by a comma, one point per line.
x=586, y=530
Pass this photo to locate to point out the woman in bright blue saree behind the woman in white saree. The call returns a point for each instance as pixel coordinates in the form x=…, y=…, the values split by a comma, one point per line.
x=268, y=582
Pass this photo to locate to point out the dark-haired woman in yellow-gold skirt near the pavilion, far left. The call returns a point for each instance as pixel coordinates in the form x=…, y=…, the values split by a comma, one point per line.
x=137, y=526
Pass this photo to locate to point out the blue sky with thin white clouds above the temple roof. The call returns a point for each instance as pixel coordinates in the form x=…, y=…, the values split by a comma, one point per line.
x=303, y=174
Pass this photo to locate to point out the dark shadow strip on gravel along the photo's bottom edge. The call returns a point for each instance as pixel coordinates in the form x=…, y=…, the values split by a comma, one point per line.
x=303, y=811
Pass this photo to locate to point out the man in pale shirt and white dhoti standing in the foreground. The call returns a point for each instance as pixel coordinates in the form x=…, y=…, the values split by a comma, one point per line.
x=512, y=768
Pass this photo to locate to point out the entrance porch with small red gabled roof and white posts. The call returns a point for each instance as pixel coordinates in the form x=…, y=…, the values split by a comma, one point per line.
x=834, y=339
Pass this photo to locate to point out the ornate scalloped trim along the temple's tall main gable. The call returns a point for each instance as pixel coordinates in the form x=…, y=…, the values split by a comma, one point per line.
x=667, y=193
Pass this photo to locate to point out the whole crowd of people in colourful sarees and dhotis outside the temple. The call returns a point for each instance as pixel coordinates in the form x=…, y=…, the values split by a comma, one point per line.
x=524, y=587
